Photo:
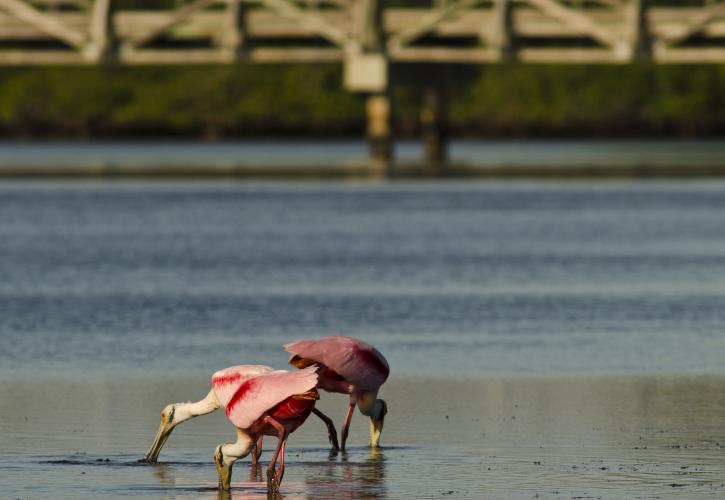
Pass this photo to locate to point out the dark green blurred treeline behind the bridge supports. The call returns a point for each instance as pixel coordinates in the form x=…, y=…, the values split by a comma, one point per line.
x=244, y=100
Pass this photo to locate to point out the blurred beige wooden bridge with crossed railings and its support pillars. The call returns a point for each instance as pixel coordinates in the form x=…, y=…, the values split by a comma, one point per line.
x=371, y=38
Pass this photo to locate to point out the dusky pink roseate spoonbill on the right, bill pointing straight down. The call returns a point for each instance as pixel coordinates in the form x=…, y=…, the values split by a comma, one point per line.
x=348, y=366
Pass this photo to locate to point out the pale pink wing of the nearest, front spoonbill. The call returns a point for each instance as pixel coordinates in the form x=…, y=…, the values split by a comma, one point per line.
x=259, y=394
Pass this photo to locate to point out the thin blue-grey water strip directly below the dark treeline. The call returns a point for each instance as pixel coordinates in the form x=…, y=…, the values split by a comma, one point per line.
x=336, y=154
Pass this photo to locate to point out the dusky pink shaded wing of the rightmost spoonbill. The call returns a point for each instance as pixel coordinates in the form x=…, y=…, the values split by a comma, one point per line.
x=358, y=362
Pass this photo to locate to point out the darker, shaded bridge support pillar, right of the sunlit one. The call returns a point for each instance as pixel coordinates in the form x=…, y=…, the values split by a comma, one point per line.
x=433, y=128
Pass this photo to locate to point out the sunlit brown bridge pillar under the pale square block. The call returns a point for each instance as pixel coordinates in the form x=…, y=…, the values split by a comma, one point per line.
x=380, y=132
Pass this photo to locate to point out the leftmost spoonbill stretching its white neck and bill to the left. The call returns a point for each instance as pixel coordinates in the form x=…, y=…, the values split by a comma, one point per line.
x=225, y=384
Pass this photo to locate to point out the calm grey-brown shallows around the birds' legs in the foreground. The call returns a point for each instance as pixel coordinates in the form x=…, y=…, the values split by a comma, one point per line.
x=586, y=437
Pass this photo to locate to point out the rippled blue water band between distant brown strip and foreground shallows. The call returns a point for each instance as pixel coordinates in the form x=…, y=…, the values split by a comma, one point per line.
x=495, y=278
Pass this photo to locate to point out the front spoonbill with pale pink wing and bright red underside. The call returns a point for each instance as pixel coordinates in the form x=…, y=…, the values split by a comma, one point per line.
x=272, y=404
